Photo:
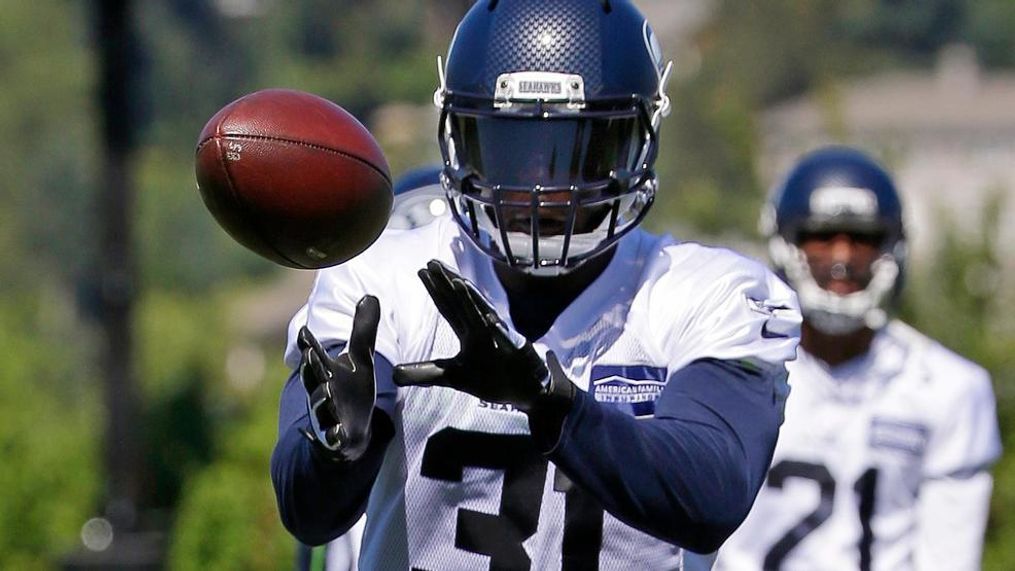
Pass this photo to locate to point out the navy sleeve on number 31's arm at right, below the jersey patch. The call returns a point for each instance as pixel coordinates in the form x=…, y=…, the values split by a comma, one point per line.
x=689, y=475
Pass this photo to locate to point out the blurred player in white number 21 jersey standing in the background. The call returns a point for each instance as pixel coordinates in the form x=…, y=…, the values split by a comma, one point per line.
x=884, y=460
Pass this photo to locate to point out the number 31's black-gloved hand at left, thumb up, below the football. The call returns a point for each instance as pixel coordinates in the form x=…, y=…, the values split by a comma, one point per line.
x=342, y=392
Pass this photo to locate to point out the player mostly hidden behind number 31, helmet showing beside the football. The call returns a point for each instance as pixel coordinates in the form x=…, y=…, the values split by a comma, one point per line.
x=420, y=200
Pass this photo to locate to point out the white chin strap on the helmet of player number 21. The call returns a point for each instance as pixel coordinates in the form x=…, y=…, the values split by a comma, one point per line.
x=831, y=313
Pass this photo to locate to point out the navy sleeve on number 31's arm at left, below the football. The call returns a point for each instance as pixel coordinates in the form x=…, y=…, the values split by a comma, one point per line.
x=320, y=499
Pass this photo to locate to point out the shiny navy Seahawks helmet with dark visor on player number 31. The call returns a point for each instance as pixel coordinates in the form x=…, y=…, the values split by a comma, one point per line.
x=550, y=127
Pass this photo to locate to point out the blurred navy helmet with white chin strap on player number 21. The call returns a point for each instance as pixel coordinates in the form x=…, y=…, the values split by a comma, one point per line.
x=838, y=190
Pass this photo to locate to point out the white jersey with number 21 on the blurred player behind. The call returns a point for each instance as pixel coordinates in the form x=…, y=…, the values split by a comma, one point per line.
x=882, y=465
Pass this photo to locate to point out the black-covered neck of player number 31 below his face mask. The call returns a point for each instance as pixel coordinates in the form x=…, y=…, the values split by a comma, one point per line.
x=536, y=302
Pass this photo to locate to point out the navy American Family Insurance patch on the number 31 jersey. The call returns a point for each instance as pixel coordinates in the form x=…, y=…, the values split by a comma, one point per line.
x=633, y=389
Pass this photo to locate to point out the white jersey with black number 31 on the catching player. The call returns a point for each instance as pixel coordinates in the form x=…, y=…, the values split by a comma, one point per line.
x=458, y=465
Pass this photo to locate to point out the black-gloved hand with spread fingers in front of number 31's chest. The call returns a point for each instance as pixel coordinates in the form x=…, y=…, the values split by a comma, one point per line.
x=495, y=365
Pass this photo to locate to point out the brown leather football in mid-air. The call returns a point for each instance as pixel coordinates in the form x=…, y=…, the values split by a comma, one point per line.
x=295, y=178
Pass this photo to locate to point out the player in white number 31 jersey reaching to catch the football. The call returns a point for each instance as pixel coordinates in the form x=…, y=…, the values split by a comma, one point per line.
x=535, y=383
